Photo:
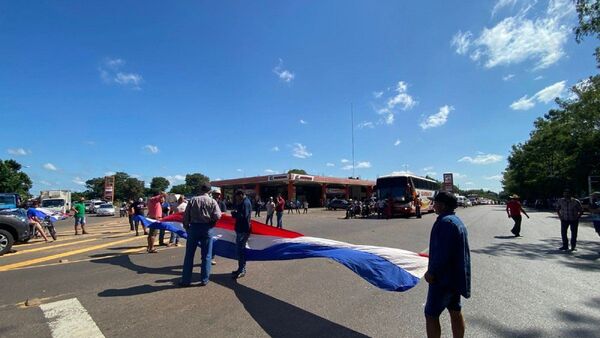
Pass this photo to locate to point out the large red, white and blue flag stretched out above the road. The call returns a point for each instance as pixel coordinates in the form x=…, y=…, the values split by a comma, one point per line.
x=387, y=268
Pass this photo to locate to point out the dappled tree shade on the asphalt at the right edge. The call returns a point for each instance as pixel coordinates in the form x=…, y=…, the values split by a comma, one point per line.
x=547, y=249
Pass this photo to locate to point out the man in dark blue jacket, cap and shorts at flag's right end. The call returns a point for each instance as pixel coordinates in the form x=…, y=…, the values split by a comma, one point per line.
x=449, y=270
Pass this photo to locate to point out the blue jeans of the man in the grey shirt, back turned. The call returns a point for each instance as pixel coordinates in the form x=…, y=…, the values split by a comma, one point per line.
x=197, y=233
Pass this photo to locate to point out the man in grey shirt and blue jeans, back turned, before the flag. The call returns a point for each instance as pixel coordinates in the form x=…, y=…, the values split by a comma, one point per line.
x=201, y=215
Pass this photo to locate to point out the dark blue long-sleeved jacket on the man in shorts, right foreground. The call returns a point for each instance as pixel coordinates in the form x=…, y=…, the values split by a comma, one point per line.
x=449, y=256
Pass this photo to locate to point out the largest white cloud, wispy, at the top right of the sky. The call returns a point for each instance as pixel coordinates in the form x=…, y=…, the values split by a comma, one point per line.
x=523, y=37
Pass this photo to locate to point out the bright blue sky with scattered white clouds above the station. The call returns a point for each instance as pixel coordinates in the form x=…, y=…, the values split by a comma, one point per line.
x=238, y=88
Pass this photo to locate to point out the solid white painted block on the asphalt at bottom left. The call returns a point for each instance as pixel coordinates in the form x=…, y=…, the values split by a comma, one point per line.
x=68, y=318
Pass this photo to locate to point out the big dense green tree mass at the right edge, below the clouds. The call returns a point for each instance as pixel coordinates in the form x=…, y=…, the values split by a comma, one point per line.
x=562, y=150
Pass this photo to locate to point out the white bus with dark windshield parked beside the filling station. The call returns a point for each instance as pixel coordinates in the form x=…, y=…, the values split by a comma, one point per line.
x=402, y=190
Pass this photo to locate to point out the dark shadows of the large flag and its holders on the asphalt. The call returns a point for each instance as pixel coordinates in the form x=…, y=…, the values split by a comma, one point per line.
x=273, y=315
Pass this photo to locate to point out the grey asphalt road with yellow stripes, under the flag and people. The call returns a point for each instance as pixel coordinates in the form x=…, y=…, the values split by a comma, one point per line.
x=522, y=287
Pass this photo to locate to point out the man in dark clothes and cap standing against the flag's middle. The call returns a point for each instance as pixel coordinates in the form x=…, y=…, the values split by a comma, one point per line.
x=243, y=227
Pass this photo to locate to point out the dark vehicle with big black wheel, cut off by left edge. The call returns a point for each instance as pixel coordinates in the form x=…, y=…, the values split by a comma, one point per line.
x=13, y=228
